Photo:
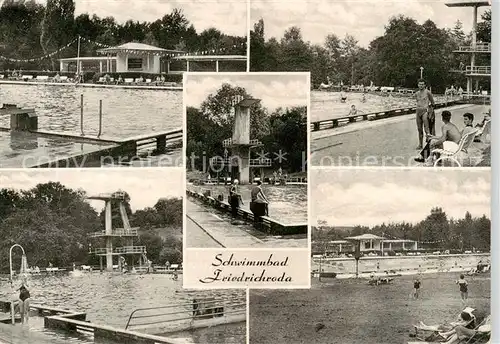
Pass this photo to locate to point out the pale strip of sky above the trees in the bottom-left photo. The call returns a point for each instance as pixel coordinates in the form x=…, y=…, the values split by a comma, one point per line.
x=145, y=186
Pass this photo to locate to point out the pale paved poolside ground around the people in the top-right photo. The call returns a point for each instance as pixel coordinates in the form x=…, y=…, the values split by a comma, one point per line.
x=386, y=142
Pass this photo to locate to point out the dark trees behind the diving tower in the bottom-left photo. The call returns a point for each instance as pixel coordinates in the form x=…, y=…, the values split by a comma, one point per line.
x=53, y=223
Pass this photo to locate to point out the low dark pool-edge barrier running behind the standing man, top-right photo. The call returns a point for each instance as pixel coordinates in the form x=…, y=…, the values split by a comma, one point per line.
x=336, y=122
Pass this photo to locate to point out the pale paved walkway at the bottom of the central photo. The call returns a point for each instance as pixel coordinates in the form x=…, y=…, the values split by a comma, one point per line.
x=206, y=229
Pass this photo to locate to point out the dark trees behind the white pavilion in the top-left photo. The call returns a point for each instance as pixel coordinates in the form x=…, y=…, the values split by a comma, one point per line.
x=29, y=29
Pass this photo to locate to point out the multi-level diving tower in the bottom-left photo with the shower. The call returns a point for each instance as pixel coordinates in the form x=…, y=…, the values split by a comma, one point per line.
x=127, y=233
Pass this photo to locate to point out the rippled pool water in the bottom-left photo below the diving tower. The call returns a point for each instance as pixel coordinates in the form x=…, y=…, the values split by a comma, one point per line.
x=108, y=299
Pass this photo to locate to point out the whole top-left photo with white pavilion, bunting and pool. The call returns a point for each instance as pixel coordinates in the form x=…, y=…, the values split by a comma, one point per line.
x=102, y=87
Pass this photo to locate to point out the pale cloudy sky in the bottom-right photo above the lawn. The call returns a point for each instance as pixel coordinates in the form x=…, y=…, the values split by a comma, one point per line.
x=351, y=197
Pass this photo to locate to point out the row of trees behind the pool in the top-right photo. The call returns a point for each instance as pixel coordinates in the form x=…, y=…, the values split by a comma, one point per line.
x=393, y=59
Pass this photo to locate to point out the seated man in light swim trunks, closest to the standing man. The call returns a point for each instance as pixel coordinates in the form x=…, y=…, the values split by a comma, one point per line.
x=449, y=138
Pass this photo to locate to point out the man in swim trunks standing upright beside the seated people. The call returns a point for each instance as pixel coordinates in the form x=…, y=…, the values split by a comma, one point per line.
x=424, y=112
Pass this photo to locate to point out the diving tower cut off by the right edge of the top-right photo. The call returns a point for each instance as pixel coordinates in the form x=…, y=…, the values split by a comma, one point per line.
x=473, y=72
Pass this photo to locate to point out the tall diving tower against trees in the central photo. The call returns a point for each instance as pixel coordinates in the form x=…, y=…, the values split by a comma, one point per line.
x=240, y=144
